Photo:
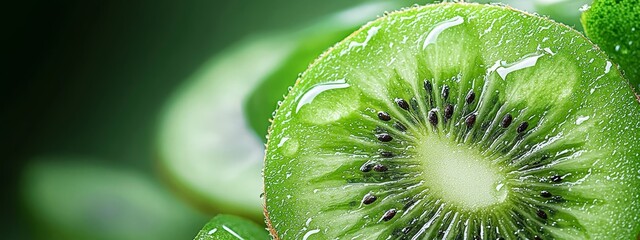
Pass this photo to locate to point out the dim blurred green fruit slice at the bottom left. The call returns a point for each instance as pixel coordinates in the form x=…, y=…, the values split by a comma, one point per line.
x=72, y=198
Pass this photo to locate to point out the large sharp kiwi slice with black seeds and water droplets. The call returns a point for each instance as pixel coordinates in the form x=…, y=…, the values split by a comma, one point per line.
x=456, y=121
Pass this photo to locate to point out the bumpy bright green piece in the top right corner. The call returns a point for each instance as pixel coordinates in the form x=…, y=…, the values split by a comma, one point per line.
x=615, y=26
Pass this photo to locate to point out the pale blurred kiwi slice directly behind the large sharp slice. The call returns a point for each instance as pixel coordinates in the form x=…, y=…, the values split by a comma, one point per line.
x=206, y=147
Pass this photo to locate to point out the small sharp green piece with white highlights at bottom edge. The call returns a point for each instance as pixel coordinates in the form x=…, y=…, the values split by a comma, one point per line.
x=229, y=227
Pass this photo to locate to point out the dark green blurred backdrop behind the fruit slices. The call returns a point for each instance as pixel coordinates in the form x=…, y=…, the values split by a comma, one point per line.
x=88, y=79
